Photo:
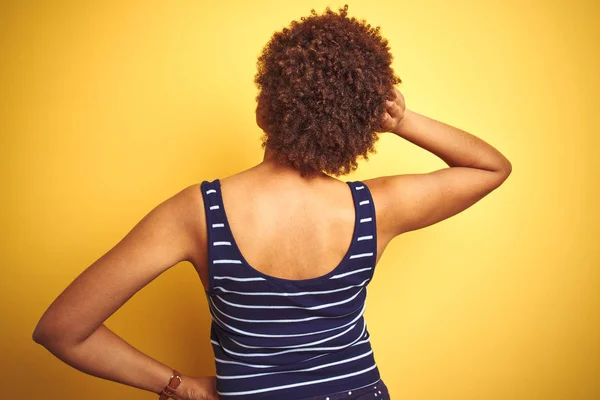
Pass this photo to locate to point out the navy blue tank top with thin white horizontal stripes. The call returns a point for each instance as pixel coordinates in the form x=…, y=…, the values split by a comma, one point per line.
x=277, y=338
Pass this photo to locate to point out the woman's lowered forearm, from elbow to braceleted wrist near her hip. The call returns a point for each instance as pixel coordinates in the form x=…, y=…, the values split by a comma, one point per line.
x=105, y=355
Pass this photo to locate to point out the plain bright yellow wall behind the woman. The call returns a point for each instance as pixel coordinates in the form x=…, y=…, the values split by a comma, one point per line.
x=107, y=109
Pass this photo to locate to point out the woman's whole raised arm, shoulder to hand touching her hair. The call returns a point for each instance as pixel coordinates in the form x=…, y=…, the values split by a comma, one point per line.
x=413, y=201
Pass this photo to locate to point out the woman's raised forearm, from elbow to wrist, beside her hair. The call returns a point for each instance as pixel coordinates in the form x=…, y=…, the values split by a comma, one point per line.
x=454, y=146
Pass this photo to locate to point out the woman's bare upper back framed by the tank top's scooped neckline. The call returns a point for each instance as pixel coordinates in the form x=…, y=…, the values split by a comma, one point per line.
x=285, y=228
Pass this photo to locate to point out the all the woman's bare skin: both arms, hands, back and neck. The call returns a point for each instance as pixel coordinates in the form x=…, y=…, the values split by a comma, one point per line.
x=266, y=205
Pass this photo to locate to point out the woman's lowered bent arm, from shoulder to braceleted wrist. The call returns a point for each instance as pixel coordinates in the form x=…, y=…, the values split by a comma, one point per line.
x=73, y=329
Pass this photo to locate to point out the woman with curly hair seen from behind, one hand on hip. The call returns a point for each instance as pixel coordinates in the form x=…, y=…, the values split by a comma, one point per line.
x=284, y=250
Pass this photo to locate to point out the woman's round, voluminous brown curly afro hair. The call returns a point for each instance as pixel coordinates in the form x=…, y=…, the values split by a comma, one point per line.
x=323, y=83
